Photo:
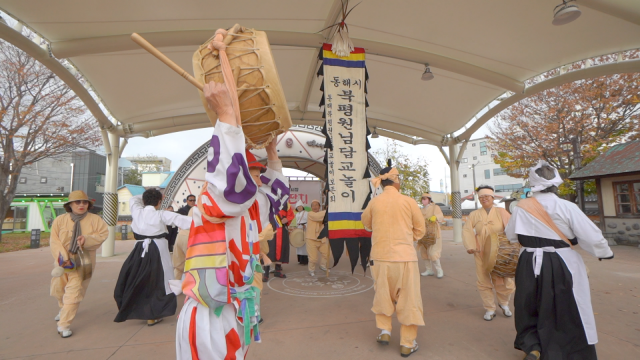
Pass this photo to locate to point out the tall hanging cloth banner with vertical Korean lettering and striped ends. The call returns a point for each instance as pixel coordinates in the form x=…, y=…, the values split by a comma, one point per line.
x=347, y=175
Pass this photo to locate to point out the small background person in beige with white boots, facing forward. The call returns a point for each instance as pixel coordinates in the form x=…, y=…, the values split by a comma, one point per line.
x=431, y=253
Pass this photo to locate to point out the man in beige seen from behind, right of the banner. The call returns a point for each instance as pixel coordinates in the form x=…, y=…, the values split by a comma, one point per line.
x=396, y=224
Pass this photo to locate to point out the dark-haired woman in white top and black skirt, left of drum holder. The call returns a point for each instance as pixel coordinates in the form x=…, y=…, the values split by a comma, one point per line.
x=142, y=291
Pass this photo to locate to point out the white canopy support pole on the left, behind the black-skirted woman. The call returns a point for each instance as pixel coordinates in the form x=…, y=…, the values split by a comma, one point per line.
x=110, y=202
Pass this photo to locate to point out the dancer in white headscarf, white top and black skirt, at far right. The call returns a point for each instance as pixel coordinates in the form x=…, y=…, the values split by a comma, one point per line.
x=553, y=315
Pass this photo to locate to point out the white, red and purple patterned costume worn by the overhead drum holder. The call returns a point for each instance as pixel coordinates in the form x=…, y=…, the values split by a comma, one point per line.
x=221, y=313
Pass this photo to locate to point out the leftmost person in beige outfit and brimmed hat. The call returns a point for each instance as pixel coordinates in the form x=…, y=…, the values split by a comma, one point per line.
x=67, y=285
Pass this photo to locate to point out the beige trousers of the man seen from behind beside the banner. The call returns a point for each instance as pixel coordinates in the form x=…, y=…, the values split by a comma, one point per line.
x=397, y=289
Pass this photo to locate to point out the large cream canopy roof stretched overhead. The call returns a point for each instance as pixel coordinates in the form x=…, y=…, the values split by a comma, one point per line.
x=478, y=50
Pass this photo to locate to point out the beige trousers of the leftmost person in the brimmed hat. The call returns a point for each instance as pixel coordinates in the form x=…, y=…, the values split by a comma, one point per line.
x=69, y=289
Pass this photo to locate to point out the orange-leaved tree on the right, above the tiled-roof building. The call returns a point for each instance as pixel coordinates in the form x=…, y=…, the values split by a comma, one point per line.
x=597, y=113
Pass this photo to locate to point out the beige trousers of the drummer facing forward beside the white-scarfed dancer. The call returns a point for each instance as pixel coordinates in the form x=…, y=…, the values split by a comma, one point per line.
x=488, y=282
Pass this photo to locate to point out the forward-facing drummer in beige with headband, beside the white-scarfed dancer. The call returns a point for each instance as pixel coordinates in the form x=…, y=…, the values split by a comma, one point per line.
x=480, y=237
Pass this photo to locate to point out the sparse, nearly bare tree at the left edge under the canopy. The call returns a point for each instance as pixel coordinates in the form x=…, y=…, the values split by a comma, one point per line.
x=40, y=117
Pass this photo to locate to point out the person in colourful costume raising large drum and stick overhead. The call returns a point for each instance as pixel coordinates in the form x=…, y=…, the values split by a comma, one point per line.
x=242, y=95
